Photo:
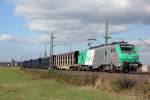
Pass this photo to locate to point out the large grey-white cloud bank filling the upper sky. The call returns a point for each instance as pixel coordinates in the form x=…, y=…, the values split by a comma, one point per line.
x=72, y=18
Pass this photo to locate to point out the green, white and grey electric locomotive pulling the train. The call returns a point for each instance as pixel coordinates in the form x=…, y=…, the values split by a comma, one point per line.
x=117, y=56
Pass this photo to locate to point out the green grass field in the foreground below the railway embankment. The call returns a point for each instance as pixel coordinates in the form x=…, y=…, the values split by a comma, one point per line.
x=16, y=84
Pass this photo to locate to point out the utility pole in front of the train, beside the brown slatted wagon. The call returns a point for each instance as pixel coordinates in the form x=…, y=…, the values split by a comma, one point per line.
x=51, y=50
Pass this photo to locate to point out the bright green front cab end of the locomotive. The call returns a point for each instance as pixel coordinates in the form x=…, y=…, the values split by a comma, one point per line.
x=128, y=57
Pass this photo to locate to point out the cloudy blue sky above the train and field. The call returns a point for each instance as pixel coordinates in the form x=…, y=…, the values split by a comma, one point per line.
x=25, y=25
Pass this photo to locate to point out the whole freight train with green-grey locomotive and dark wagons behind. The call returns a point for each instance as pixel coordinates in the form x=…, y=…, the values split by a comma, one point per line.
x=117, y=56
